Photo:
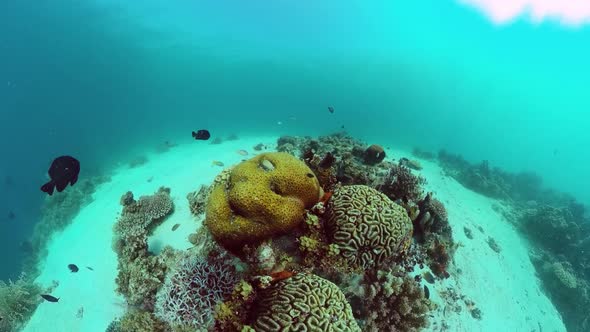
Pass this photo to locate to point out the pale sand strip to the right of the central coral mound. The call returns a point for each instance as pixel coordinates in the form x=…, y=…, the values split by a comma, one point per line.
x=503, y=285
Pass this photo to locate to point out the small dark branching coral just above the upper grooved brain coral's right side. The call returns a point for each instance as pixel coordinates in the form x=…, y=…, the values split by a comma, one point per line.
x=401, y=184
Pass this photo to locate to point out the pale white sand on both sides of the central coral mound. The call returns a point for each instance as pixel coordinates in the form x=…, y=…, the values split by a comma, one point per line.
x=502, y=285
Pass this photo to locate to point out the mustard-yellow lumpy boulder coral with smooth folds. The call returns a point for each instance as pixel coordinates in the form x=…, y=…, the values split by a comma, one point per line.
x=263, y=196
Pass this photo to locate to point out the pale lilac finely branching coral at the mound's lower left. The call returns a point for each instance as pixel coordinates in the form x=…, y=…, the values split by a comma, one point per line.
x=192, y=290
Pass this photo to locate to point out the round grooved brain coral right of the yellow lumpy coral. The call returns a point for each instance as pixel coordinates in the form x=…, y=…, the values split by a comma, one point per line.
x=366, y=225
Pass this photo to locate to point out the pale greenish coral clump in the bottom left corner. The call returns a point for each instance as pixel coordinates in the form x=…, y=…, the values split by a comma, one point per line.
x=18, y=301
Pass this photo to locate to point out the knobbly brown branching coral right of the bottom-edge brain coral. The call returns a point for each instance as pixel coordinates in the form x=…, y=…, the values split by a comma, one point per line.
x=394, y=301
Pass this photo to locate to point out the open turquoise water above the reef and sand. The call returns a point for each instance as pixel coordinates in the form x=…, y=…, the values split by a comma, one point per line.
x=102, y=79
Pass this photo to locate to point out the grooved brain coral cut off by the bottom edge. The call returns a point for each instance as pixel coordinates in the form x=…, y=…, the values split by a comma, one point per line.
x=304, y=302
